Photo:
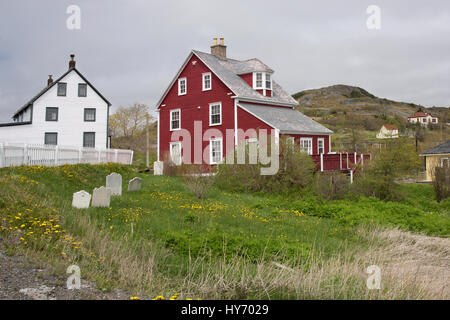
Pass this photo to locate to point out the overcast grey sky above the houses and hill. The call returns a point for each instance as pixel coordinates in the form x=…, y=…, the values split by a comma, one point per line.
x=130, y=50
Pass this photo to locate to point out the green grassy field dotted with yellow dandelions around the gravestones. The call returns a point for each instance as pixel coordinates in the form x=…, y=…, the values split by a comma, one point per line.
x=163, y=240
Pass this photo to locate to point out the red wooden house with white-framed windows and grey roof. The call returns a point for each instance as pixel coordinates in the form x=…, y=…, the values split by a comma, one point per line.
x=226, y=94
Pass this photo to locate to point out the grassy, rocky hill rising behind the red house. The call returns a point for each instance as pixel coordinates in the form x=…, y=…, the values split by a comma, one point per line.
x=356, y=114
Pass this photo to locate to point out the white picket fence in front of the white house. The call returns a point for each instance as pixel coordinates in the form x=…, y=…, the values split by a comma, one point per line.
x=48, y=155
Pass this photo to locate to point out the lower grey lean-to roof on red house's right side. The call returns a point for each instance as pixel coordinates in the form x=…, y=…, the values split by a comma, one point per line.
x=287, y=120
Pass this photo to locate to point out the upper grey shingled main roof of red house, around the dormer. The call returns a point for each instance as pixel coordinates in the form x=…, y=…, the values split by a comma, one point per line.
x=228, y=70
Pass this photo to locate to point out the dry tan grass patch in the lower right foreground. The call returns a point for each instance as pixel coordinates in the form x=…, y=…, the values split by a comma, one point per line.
x=412, y=267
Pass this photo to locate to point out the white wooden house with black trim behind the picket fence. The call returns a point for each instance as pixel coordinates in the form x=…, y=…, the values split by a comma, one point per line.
x=69, y=111
